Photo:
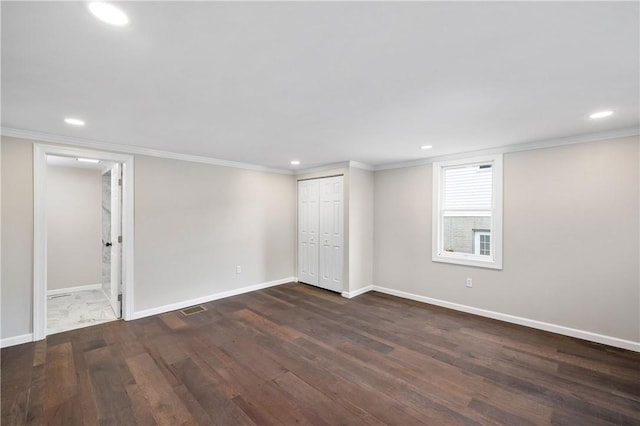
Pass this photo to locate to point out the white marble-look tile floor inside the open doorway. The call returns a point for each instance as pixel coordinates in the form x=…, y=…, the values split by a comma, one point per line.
x=76, y=310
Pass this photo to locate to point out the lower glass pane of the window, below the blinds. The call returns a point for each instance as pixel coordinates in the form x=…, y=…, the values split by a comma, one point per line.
x=459, y=233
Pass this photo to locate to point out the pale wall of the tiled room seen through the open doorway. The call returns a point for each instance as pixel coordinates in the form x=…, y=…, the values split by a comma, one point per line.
x=74, y=209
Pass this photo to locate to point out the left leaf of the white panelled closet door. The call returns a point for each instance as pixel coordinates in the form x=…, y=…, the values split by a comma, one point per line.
x=308, y=228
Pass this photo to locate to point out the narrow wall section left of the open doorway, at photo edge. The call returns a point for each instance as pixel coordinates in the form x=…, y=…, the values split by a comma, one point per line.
x=17, y=237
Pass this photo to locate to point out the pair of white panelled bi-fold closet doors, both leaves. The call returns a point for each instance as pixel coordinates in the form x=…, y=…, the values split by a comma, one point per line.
x=320, y=232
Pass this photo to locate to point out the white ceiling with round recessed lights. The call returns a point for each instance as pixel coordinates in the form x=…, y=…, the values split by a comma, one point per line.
x=322, y=82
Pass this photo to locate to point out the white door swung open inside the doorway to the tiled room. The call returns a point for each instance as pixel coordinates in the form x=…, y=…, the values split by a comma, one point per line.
x=116, y=238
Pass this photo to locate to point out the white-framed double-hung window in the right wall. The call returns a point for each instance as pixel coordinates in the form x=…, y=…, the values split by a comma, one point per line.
x=467, y=212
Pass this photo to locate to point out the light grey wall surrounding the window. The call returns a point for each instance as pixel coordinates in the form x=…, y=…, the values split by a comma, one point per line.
x=571, y=231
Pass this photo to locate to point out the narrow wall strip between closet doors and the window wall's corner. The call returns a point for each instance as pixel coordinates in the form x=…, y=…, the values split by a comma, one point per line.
x=360, y=229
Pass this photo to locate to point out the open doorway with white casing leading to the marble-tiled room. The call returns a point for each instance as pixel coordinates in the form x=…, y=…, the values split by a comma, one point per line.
x=83, y=226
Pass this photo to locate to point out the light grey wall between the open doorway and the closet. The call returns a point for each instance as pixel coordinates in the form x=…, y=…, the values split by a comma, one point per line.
x=195, y=223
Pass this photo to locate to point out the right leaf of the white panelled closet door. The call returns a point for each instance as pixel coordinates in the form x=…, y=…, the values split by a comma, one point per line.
x=331, y=233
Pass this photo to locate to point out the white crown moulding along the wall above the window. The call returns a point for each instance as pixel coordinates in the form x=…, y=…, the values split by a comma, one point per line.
x=527, y=146
